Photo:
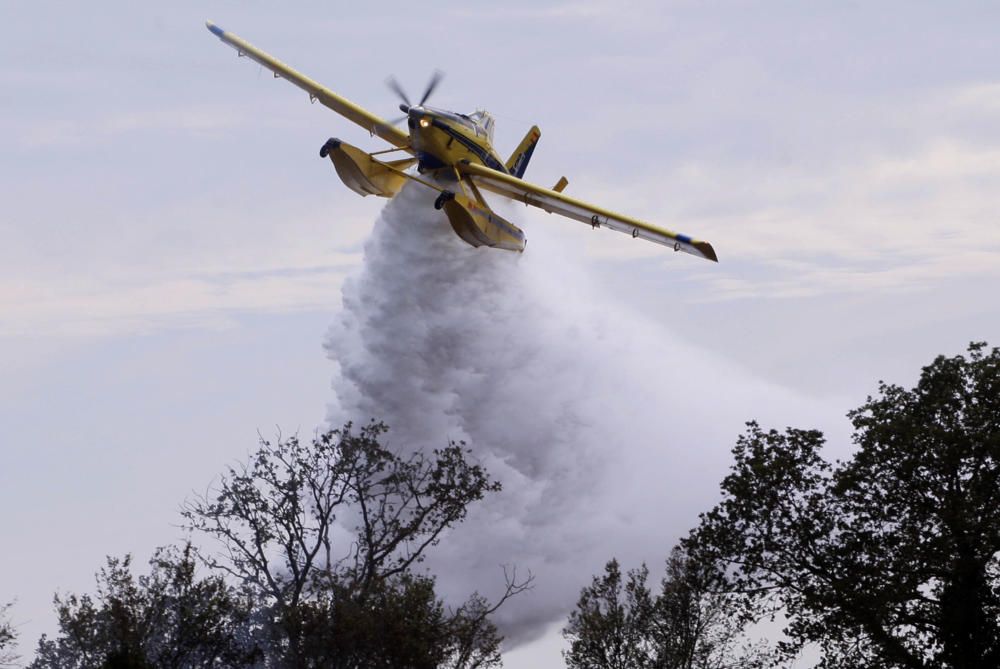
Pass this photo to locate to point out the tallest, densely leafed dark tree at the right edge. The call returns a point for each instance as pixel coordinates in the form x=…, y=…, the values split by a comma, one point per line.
x=889, y=559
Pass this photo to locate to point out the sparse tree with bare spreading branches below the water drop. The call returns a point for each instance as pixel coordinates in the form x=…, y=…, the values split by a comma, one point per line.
x=278, y=520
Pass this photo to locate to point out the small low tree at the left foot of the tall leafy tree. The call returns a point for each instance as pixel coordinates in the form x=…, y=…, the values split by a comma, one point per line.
x=618, y=623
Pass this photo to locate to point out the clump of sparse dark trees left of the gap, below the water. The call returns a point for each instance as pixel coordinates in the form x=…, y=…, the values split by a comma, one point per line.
x=314, y=565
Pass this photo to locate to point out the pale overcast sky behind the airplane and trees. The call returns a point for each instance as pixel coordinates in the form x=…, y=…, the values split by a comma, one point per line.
x=172, y=249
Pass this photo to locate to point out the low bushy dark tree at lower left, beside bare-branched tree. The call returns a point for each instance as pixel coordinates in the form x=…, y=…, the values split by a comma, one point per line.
x=169, y=619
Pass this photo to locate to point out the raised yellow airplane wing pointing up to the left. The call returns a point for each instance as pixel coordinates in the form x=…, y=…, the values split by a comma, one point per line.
x=342, y=106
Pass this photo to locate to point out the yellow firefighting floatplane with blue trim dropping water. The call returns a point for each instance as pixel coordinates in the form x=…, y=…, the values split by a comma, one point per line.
x=457, y=151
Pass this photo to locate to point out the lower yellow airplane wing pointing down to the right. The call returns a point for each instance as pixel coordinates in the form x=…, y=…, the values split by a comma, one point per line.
x=555, y=202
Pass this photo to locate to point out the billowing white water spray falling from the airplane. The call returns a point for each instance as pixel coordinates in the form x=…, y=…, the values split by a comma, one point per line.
x=608, y=435
